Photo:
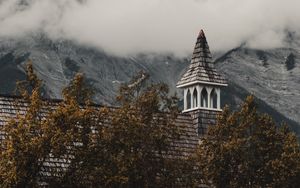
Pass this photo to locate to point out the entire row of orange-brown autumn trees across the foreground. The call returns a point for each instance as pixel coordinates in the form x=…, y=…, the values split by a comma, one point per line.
x=132, y=145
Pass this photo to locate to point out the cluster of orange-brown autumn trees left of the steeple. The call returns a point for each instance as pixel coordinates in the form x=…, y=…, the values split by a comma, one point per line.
x=128, y=146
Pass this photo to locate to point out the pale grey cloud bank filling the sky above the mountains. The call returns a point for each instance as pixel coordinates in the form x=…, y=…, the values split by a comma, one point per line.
x=126, y=27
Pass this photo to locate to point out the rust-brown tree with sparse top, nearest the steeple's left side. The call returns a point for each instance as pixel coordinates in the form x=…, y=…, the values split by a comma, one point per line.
x=141, y=133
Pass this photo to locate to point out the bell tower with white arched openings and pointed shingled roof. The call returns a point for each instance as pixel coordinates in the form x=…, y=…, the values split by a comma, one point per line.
x=201, y=83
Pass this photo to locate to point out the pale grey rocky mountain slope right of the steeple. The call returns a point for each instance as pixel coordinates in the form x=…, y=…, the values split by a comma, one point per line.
x=271, y=75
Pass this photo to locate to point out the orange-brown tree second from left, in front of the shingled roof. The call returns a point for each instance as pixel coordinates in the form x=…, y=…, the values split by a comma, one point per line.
x=77, y=131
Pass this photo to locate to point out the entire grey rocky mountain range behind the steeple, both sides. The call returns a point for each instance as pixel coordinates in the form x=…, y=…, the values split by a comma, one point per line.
x=271, y=75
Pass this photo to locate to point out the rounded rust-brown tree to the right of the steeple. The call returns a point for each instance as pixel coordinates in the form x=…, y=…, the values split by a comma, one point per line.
x=246, y=149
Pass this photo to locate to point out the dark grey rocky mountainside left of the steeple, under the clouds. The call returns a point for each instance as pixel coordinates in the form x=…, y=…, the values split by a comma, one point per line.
x=57, y=62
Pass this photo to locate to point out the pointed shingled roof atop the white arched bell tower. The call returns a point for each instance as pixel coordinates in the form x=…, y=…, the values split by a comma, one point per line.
x=201, y=69
